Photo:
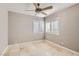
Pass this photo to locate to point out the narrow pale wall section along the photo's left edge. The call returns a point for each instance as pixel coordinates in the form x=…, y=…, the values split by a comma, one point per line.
x=3, y=29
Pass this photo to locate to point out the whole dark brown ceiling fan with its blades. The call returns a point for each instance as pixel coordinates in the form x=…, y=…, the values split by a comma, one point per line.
x=40, y=10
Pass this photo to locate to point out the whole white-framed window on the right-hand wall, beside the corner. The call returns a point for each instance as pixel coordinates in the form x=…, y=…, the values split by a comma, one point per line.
x=52, y=26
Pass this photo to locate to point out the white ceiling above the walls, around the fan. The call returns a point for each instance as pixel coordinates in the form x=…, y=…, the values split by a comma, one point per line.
x=21, y=7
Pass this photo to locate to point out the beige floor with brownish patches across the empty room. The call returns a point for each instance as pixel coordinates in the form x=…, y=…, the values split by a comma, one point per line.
x=38, y=48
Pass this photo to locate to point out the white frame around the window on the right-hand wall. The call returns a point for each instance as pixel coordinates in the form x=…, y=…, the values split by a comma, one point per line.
x=52, y=21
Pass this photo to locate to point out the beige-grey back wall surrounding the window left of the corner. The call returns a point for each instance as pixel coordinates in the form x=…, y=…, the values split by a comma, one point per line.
x=20, y=28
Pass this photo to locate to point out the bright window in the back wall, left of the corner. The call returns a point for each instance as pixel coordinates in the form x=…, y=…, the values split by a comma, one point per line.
x=38, y=26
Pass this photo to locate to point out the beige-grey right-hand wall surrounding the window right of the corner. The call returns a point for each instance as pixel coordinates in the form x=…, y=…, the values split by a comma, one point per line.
x=69, y=28
